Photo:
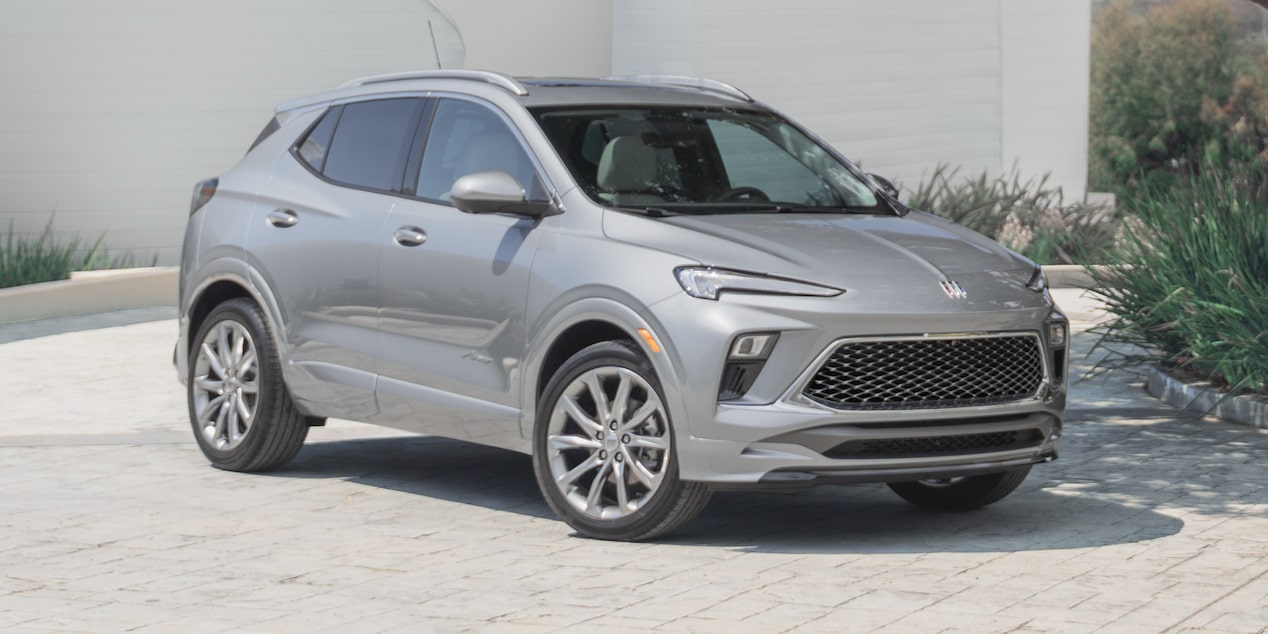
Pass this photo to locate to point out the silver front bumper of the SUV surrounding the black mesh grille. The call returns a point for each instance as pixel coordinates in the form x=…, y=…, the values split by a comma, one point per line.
x=774, y=437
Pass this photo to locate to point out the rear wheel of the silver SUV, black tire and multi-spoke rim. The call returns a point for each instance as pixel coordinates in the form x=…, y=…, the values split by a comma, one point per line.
x=276, y=430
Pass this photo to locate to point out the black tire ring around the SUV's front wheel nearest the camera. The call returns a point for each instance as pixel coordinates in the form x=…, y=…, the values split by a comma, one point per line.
x=599, y=356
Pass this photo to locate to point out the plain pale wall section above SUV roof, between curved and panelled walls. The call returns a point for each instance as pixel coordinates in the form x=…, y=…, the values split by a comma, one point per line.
x=536, y=39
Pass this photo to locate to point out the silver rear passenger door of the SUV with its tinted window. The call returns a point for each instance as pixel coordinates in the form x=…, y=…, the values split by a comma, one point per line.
x=318, y=248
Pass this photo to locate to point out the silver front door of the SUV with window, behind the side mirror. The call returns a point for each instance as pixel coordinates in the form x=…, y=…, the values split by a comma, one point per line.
x=455, y=286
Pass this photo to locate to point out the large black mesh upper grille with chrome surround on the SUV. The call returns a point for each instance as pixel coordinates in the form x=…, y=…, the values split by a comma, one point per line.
x=929, y=373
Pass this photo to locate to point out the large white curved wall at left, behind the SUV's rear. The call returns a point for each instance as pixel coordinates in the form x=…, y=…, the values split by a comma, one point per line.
x=111, y=111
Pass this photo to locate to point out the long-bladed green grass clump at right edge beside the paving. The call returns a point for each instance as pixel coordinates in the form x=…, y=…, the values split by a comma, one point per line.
x=1191, y=287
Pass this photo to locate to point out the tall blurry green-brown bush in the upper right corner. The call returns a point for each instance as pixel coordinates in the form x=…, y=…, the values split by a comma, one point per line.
x=1174, y=88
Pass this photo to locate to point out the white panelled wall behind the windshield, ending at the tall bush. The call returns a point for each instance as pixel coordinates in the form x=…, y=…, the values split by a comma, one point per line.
x=900, y=86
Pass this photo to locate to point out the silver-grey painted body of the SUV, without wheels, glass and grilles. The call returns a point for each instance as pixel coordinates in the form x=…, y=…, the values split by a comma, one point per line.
x=448, y=335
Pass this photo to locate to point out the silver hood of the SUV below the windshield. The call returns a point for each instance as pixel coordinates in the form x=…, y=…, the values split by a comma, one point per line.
x=890, y=258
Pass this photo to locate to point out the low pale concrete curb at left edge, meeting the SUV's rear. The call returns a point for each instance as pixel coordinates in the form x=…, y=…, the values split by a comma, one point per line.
x=91, y=292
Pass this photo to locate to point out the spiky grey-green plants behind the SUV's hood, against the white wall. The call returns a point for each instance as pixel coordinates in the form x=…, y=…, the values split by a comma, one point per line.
x=1026, y=216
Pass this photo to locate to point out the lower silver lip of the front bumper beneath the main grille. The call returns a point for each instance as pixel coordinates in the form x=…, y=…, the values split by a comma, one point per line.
x=893, y=448
